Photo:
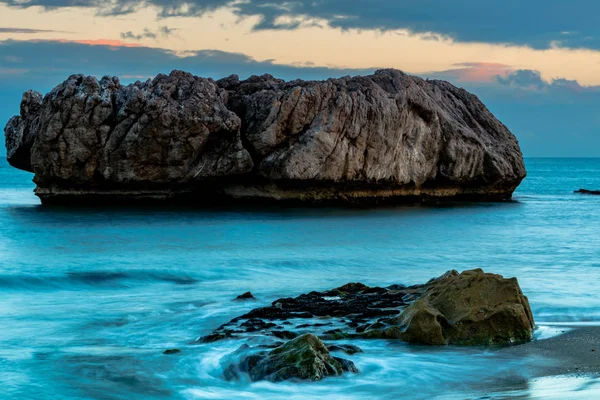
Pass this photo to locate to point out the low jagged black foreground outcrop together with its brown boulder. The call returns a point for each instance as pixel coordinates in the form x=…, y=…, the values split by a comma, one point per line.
x=473, y=307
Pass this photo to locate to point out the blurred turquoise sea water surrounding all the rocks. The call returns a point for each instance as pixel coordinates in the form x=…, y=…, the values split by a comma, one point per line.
x=90, y=298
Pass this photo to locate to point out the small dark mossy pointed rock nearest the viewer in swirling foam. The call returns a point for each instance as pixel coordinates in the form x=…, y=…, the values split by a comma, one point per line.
x=304, y=358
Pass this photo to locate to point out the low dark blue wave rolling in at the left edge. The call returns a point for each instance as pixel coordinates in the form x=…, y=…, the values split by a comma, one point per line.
x=104, y=279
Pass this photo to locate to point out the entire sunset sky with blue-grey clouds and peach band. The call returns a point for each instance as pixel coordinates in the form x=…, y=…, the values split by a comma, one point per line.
x=534, y=63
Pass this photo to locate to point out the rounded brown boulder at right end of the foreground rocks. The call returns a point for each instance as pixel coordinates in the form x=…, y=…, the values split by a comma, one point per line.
x=470, y=308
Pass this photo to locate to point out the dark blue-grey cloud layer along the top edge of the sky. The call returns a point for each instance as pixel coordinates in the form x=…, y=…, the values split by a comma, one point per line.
x=536, y=23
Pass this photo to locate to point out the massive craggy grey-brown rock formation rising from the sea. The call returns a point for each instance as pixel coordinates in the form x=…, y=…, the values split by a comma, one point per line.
x=384, y=136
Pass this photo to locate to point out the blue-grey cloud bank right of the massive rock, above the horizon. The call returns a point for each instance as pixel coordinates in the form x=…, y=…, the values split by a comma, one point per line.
x=555, y=118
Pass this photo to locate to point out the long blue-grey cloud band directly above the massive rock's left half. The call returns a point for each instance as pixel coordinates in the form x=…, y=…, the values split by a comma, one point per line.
x=50, y=61
